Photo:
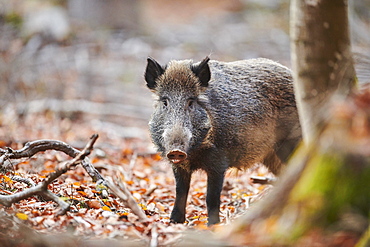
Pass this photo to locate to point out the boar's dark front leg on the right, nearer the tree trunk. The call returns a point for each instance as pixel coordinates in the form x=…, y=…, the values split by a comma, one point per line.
x=214, y=186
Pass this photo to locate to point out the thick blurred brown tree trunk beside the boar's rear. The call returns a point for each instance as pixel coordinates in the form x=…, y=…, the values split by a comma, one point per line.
x=321, y=58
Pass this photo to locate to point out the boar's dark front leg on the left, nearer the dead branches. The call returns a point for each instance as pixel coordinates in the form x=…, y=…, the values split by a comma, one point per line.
x=182, y=178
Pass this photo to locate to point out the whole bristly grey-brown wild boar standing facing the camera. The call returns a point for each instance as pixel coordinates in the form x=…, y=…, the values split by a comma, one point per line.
x=214, y=115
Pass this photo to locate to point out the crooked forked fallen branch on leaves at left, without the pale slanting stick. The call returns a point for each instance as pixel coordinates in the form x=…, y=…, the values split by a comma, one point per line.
x=41, y=189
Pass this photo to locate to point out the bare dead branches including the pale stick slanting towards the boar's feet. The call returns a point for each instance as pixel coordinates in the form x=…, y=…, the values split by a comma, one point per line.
x=79, y=157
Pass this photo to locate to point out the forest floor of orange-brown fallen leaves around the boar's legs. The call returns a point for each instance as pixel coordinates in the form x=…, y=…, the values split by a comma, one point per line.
x=132, y=161
